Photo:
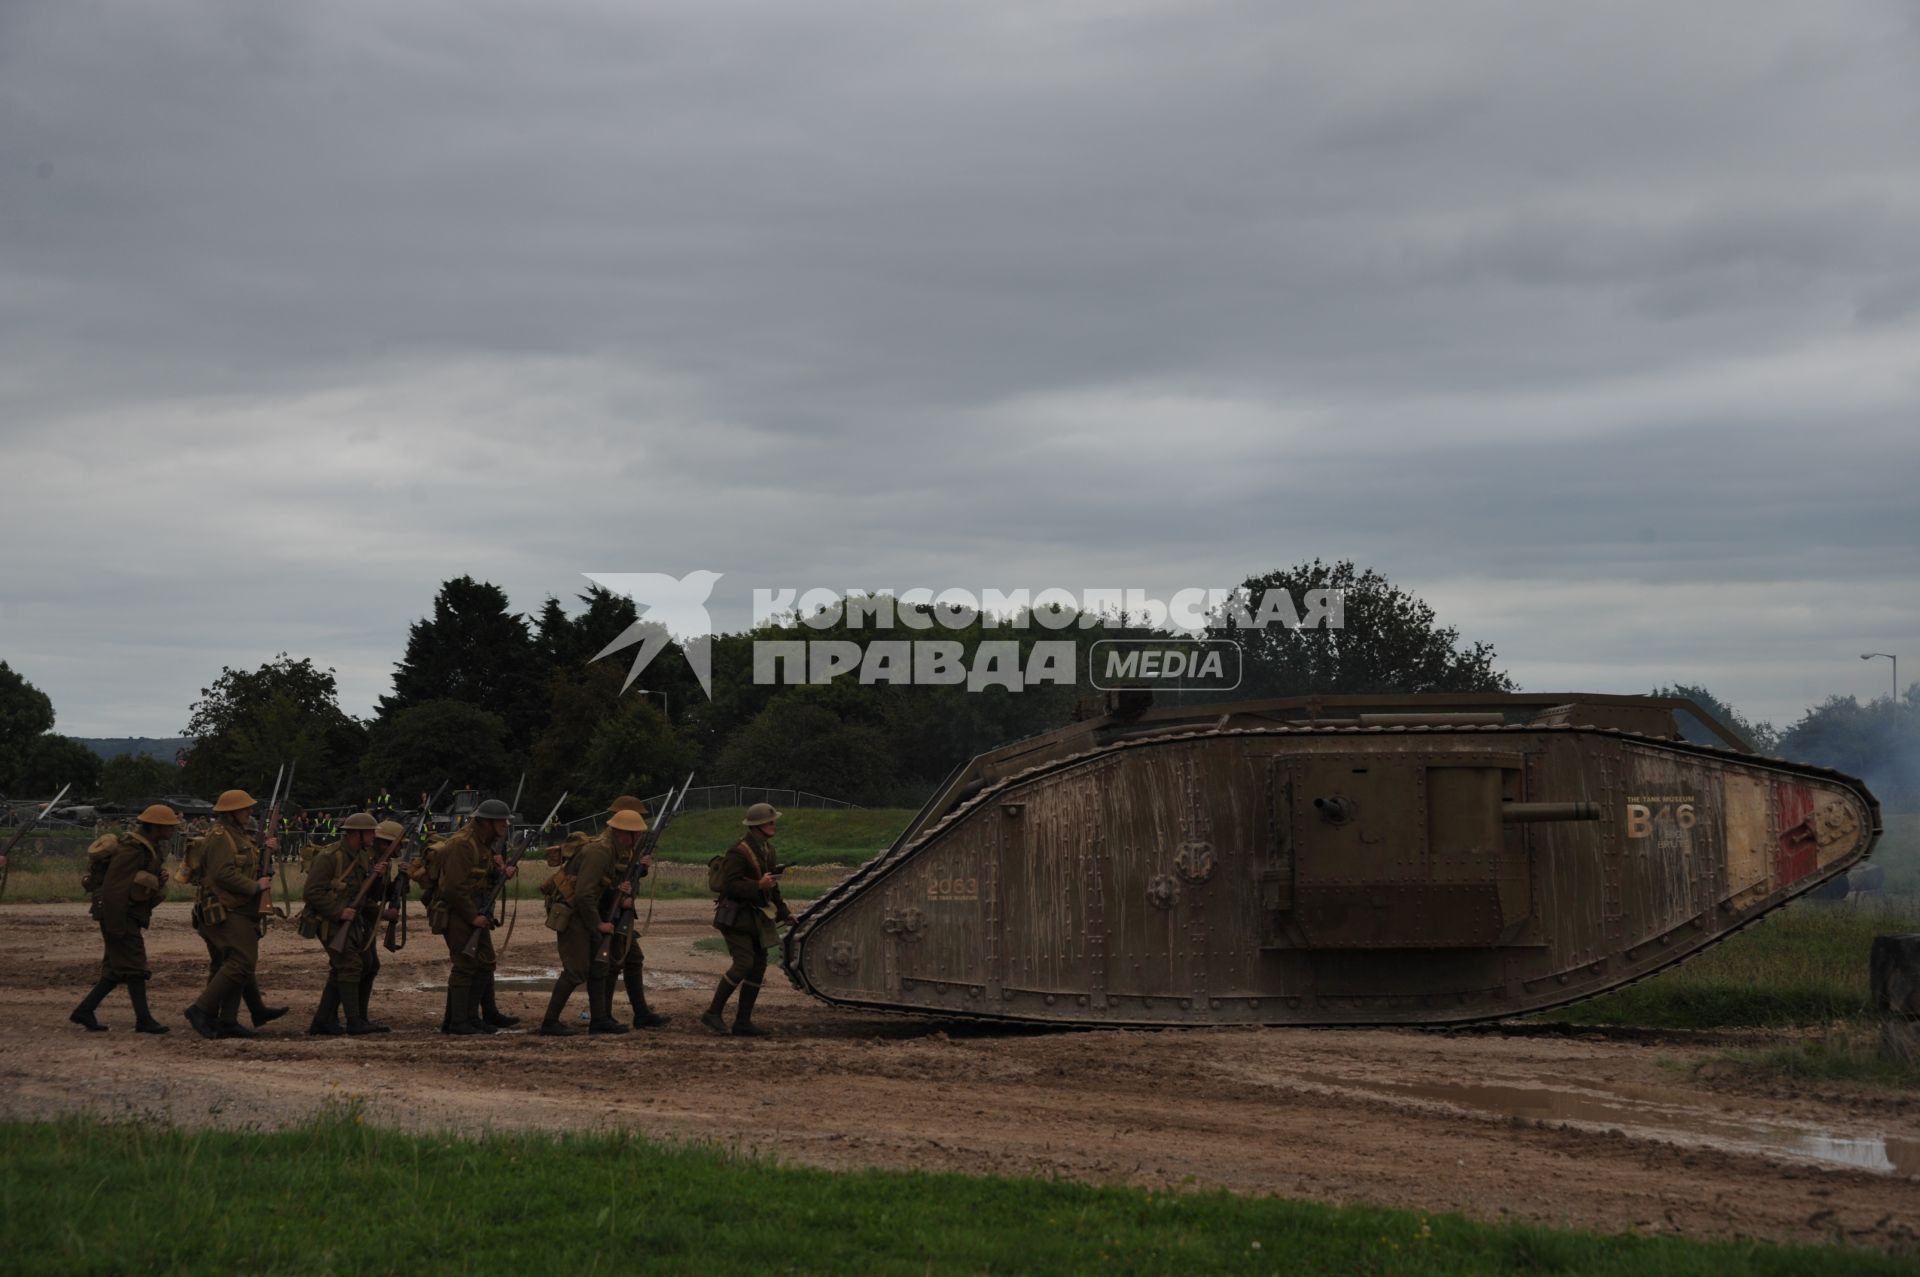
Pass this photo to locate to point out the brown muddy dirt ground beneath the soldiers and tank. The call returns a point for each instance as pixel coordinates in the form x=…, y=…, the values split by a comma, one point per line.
x=1604, y=1132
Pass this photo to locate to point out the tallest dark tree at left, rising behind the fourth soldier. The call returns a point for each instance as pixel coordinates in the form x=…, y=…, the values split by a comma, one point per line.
x=473, y=650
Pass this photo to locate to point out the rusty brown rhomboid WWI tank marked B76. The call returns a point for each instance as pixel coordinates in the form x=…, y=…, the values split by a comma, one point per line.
x=1326, y=861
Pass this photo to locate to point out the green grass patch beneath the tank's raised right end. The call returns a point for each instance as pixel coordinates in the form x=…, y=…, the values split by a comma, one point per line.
x=1804, y=965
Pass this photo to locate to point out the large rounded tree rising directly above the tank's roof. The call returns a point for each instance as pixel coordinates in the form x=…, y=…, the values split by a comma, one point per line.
x=1389, y=642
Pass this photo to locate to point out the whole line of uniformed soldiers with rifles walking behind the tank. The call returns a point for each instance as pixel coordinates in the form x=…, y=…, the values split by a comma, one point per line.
x=362, y=880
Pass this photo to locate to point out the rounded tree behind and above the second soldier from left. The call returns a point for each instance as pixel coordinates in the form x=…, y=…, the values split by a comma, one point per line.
x=287, y=711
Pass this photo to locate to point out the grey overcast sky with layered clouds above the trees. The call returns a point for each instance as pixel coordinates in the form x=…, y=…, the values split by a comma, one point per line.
x=1595, y=325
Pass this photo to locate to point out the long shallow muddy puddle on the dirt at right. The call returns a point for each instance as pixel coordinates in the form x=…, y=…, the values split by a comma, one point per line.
x=1646, y=1113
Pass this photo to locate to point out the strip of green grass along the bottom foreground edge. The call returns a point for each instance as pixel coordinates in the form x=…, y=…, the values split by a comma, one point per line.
x=339, y=1195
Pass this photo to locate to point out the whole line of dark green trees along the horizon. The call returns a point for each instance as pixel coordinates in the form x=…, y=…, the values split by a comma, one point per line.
x=485, y=694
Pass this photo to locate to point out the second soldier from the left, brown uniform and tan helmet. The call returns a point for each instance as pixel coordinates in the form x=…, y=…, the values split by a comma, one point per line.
x=233, y=877
